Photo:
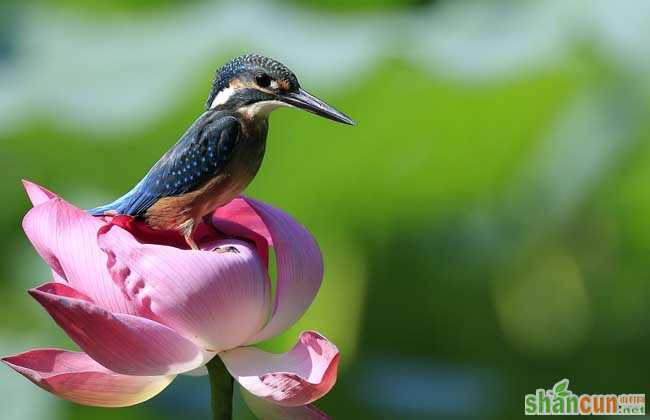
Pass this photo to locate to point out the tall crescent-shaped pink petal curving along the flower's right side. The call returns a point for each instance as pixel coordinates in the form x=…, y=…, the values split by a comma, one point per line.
x=299, y=268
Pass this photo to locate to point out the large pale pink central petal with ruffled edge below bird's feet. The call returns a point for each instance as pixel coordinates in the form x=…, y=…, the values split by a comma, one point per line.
x=217, y=299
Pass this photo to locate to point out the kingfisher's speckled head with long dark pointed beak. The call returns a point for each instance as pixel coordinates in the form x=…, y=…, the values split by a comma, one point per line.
x=255, y=85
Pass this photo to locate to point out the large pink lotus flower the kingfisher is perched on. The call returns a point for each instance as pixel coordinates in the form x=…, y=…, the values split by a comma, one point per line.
x=143, y=310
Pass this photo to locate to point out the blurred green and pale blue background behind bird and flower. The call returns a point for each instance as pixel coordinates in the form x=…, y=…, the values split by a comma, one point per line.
x=485, y=227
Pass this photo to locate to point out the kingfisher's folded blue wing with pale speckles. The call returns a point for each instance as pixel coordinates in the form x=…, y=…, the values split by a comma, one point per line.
x=198, y=156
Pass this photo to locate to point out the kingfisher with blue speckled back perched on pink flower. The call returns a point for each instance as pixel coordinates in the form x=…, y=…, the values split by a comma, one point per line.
x=221, y=152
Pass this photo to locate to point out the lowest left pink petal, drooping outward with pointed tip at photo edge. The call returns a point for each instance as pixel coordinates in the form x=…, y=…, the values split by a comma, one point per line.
x=76, y=377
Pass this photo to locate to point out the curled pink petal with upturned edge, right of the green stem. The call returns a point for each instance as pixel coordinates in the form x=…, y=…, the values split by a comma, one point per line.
x=295, y=378
